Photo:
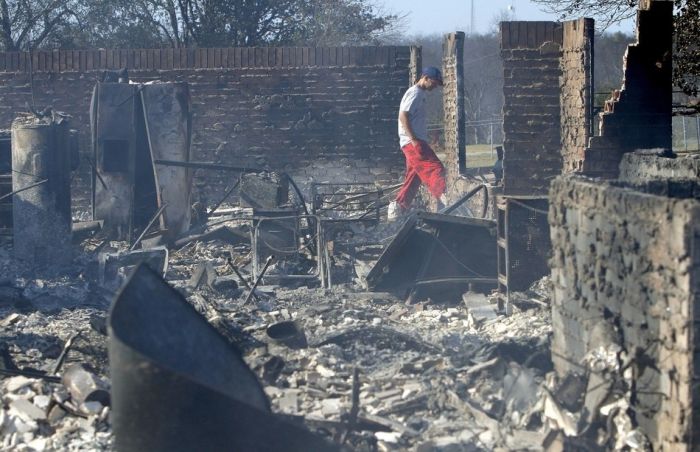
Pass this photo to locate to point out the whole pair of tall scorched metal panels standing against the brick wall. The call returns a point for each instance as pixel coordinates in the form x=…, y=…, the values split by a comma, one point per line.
x=132, y=126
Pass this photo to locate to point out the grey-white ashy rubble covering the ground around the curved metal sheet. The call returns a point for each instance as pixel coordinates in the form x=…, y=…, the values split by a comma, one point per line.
x=362, y=368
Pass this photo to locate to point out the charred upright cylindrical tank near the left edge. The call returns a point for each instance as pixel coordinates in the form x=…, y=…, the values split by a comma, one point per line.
x=42, y=214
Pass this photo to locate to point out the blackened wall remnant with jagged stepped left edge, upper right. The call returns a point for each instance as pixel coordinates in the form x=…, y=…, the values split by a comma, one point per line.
x=638, y=116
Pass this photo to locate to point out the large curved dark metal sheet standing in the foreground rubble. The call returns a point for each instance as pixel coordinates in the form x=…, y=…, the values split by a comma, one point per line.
x=178, y=385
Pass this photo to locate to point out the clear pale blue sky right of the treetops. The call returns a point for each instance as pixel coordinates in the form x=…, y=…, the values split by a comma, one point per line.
x=444, y=16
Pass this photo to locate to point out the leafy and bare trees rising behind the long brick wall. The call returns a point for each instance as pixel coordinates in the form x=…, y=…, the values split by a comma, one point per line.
x=190, y=23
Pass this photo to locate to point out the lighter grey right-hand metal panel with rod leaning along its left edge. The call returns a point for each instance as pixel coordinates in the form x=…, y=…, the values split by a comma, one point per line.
x=166, y=108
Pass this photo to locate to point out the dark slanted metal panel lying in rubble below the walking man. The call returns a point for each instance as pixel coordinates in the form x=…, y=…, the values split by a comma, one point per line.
x=437, y=253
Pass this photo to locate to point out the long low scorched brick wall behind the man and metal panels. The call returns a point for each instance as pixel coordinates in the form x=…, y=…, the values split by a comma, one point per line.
x=327, y=114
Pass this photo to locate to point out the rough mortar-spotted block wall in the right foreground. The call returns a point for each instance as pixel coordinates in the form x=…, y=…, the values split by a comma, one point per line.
x=629, y=258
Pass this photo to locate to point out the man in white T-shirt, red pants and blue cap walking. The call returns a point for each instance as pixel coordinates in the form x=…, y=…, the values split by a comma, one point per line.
x=422, y=165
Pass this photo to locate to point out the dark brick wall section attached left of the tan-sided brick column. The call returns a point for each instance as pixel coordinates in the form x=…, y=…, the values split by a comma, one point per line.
x=531, y=53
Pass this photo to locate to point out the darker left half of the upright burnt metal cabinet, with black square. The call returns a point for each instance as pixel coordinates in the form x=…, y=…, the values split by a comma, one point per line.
x=113, y=122
